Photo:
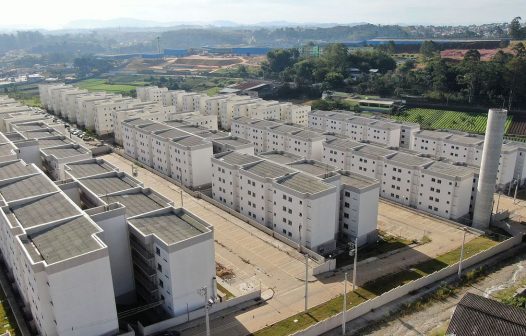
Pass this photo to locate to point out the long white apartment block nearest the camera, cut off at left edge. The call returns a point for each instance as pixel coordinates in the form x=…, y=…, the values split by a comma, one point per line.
x=53, y=252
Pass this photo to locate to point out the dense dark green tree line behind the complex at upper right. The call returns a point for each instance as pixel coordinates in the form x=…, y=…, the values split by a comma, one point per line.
x=501, y=81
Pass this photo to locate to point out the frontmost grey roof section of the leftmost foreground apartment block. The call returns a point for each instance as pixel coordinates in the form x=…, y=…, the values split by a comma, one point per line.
x=68, y=240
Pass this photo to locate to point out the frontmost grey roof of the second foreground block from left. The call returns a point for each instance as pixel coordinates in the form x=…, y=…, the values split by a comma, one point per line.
x=169, y=227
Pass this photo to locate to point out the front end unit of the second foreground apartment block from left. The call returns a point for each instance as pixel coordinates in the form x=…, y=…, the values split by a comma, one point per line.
x=181, y=246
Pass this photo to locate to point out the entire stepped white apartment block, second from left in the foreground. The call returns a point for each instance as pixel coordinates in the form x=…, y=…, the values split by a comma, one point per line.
x=157, y=252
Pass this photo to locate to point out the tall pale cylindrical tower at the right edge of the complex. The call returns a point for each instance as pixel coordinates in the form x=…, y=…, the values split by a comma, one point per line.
x=489, y=167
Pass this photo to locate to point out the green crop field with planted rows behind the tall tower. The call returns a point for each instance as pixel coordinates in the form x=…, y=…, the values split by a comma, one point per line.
x=442, y=119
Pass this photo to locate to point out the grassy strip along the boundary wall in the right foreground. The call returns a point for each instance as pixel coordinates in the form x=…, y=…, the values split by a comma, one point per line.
x=372, y=289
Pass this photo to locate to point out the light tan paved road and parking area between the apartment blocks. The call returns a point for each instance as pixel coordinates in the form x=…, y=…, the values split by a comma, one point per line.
x=259, y=260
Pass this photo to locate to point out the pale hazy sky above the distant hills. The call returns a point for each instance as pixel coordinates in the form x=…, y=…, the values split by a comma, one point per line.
x=56, y=14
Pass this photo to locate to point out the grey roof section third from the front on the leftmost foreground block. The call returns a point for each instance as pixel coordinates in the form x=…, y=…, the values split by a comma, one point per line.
x=26, y=187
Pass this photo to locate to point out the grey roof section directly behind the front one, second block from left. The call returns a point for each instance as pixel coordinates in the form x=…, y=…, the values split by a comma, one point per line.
x=137, y=203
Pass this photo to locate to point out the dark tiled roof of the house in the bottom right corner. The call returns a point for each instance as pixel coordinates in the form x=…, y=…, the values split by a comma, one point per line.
x=478, y=316
